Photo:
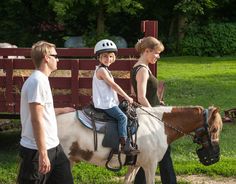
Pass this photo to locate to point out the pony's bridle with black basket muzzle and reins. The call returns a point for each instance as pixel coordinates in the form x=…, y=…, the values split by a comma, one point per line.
x=209, y=153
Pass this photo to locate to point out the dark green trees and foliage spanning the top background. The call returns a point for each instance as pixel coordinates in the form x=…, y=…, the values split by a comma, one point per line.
x=25, y=22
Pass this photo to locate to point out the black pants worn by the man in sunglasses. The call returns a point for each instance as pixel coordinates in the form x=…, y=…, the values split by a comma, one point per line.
x=60, y=167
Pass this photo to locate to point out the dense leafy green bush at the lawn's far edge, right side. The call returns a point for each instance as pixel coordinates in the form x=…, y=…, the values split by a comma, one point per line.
x=215, y=39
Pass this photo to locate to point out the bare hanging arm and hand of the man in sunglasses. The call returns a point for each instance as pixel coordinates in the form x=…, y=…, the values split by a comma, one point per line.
x=36, y=111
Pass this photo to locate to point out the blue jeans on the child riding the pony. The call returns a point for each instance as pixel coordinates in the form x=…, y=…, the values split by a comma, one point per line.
x=118, y=114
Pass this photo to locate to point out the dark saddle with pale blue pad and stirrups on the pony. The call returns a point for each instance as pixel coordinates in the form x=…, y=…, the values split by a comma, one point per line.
x=100, y=122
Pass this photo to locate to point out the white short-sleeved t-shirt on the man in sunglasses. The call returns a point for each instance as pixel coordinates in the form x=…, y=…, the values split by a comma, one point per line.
x=37, y=89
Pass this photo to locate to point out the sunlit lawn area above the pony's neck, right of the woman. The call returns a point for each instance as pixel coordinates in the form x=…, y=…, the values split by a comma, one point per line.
x=199, y=81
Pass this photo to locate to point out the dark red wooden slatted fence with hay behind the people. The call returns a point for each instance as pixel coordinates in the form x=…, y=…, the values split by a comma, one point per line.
x=71, y=83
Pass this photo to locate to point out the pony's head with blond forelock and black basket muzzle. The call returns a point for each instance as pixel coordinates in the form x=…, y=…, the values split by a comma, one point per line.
x=208, y=137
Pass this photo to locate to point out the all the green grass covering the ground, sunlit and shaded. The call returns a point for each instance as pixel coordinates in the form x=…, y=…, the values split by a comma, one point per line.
x=189, y=81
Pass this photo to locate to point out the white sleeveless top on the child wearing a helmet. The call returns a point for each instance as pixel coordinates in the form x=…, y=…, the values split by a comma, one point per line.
x=104, y=97
